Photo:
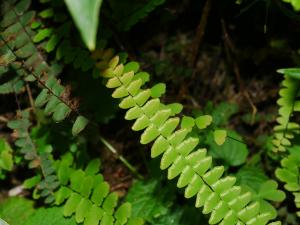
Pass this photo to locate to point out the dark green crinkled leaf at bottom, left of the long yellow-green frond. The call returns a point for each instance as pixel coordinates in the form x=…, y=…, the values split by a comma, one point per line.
x=155, y=201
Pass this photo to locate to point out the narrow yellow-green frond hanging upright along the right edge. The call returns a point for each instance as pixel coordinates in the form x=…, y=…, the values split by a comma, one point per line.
x=288, y=104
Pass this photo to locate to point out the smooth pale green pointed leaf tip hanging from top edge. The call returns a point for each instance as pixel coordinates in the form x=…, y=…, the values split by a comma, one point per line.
x=86, y=16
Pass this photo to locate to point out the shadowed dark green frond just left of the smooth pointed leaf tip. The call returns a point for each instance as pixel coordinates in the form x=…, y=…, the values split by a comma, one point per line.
x=54, y=32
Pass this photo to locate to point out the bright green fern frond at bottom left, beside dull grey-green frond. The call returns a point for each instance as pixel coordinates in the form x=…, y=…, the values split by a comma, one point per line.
x=85, y=194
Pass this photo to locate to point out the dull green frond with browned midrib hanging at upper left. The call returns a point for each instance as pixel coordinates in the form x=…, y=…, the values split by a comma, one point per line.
x=22, y=61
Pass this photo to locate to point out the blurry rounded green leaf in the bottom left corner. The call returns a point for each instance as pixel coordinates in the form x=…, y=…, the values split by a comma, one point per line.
x=16, y=209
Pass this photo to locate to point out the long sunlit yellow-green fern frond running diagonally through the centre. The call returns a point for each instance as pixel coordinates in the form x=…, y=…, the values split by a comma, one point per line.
x=226, y=202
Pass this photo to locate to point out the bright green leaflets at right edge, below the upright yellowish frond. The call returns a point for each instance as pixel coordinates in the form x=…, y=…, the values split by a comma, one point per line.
x=290, y=175
